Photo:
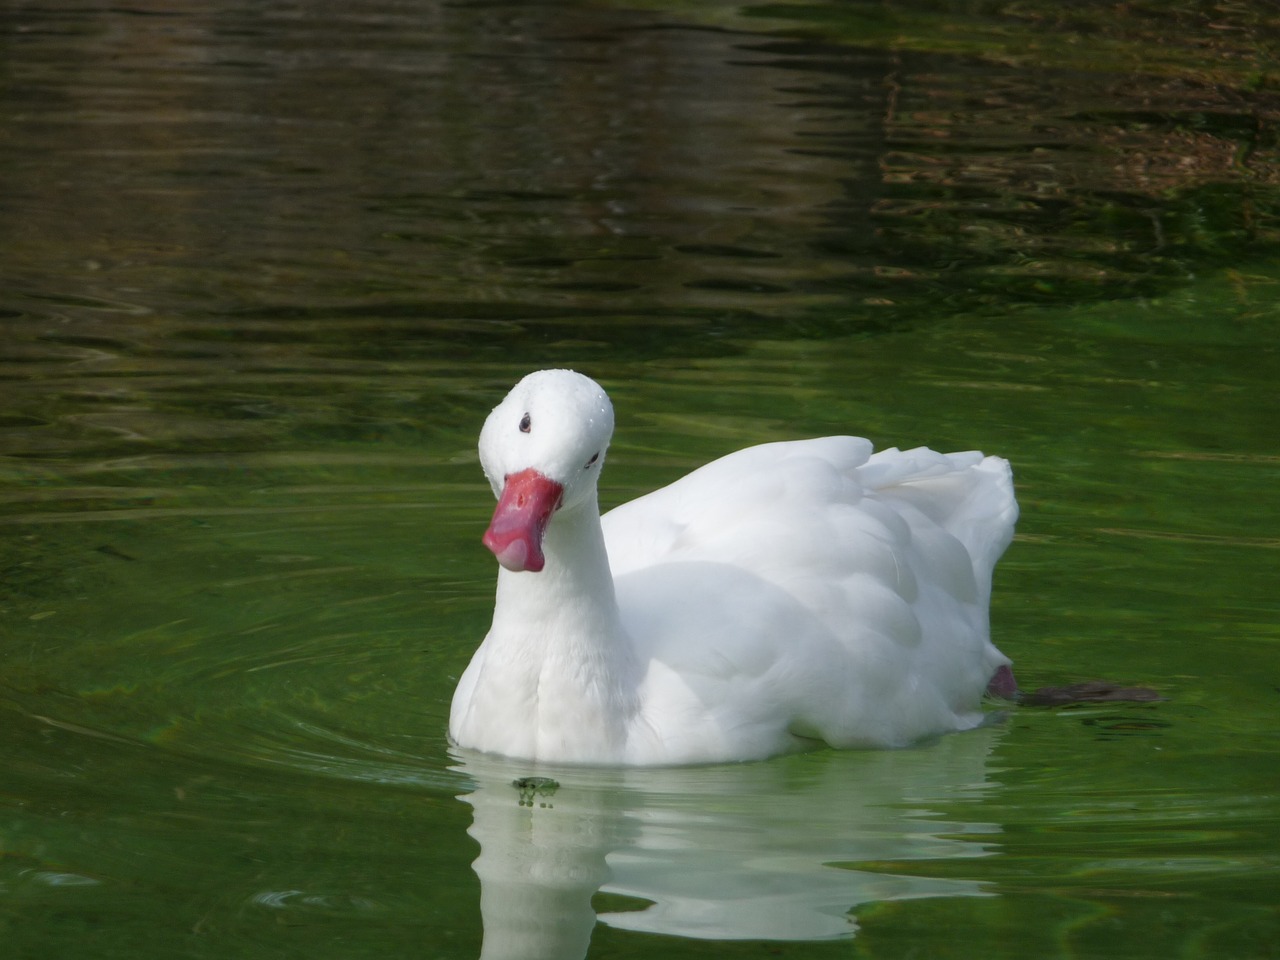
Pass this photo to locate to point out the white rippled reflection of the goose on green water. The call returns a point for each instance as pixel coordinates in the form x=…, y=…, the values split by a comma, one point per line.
x=778, y=851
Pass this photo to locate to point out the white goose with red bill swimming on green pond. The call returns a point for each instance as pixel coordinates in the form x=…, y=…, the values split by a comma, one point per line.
x=783, y=597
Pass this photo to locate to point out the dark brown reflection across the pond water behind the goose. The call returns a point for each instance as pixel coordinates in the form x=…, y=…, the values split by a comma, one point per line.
x=231, y=227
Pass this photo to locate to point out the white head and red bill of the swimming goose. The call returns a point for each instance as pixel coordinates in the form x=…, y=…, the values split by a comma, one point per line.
x=542, y=450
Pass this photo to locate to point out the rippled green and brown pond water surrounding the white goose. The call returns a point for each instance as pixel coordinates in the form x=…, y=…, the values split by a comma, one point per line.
x=268, y=267
